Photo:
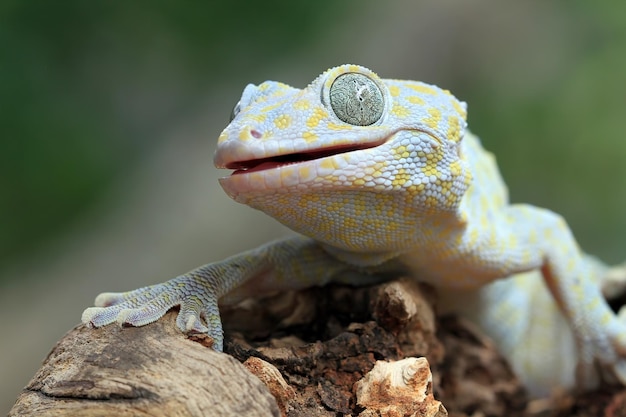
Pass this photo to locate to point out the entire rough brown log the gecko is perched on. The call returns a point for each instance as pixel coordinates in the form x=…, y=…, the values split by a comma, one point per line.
x=312, y=349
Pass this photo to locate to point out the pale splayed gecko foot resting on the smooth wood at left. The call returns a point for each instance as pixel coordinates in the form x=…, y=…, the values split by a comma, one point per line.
x=198, y=314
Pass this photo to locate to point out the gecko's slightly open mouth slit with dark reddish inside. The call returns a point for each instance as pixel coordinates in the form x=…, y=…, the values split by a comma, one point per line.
x=272, y=162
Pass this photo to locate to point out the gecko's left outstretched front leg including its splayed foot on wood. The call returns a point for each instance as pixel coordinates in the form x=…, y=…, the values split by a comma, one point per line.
x=287, y=264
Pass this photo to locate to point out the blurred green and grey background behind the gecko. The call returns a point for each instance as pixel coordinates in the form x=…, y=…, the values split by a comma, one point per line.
x=109, y=113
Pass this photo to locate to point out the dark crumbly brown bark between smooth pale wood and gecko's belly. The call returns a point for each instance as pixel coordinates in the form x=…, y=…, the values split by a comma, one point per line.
x=324, y=340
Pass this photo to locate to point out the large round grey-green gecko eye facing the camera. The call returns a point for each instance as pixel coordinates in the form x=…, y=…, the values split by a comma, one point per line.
x=356, y=99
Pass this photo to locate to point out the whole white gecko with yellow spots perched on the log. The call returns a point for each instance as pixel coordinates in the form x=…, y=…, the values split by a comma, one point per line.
x=382, y=177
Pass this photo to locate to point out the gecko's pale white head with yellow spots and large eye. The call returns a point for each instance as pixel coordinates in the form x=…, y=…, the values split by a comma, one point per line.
x=352, y=160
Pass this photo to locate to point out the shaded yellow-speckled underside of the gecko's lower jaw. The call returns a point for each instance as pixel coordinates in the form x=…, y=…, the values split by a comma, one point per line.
x=310, y=209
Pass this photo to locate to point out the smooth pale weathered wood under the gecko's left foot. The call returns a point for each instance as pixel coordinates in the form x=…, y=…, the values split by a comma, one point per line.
x=148, y=371
